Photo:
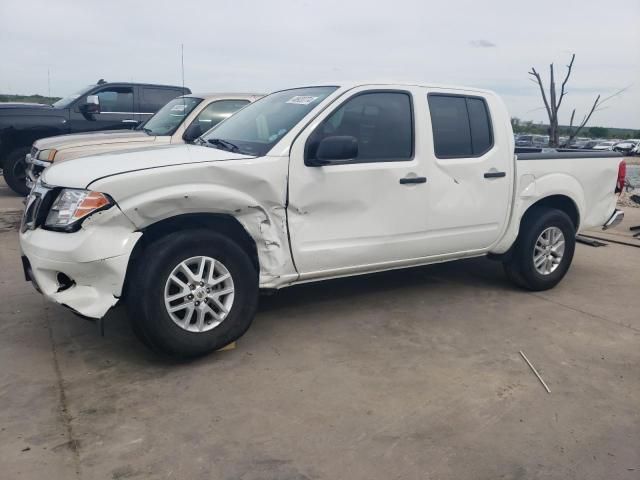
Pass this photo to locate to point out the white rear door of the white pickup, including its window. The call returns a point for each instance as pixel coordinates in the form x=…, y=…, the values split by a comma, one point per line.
x=471, y=172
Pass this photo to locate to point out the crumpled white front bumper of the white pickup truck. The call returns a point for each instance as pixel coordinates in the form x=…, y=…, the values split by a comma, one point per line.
x=84, y=270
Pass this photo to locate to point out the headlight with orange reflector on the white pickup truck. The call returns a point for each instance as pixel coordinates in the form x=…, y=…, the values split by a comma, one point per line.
x=72, y=206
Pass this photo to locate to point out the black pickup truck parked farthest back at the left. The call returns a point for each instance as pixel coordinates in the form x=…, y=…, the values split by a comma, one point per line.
x=103, y=106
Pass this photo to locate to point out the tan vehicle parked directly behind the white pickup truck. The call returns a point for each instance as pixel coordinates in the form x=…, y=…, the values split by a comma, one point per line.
x=182, y=120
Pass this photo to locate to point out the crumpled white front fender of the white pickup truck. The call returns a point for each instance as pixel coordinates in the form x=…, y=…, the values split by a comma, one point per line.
x=253, y=191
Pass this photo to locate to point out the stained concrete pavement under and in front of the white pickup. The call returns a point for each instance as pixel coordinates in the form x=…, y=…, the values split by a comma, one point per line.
x=411, y=374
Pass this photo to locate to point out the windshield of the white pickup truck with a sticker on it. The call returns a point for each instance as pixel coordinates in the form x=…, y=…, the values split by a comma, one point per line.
x=255, y=129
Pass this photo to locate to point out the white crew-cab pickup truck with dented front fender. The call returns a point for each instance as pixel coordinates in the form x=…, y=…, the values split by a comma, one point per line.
x=303, y=185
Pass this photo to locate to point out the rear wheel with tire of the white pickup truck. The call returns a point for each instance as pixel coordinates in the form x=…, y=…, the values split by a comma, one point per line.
x=543, y=251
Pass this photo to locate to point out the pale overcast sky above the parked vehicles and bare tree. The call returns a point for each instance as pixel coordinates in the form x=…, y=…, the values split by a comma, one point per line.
x=262, y=46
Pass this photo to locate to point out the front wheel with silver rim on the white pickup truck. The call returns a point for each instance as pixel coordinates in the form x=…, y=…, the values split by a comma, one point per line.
x=191, y=293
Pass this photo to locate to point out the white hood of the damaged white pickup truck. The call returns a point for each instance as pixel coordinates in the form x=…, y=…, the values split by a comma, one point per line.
x=80, y=172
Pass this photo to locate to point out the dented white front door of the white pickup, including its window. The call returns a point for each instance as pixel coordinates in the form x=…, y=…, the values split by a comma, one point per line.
x=369, y=211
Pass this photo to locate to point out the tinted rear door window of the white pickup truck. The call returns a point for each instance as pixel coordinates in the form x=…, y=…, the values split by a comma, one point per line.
x=461, y=126
